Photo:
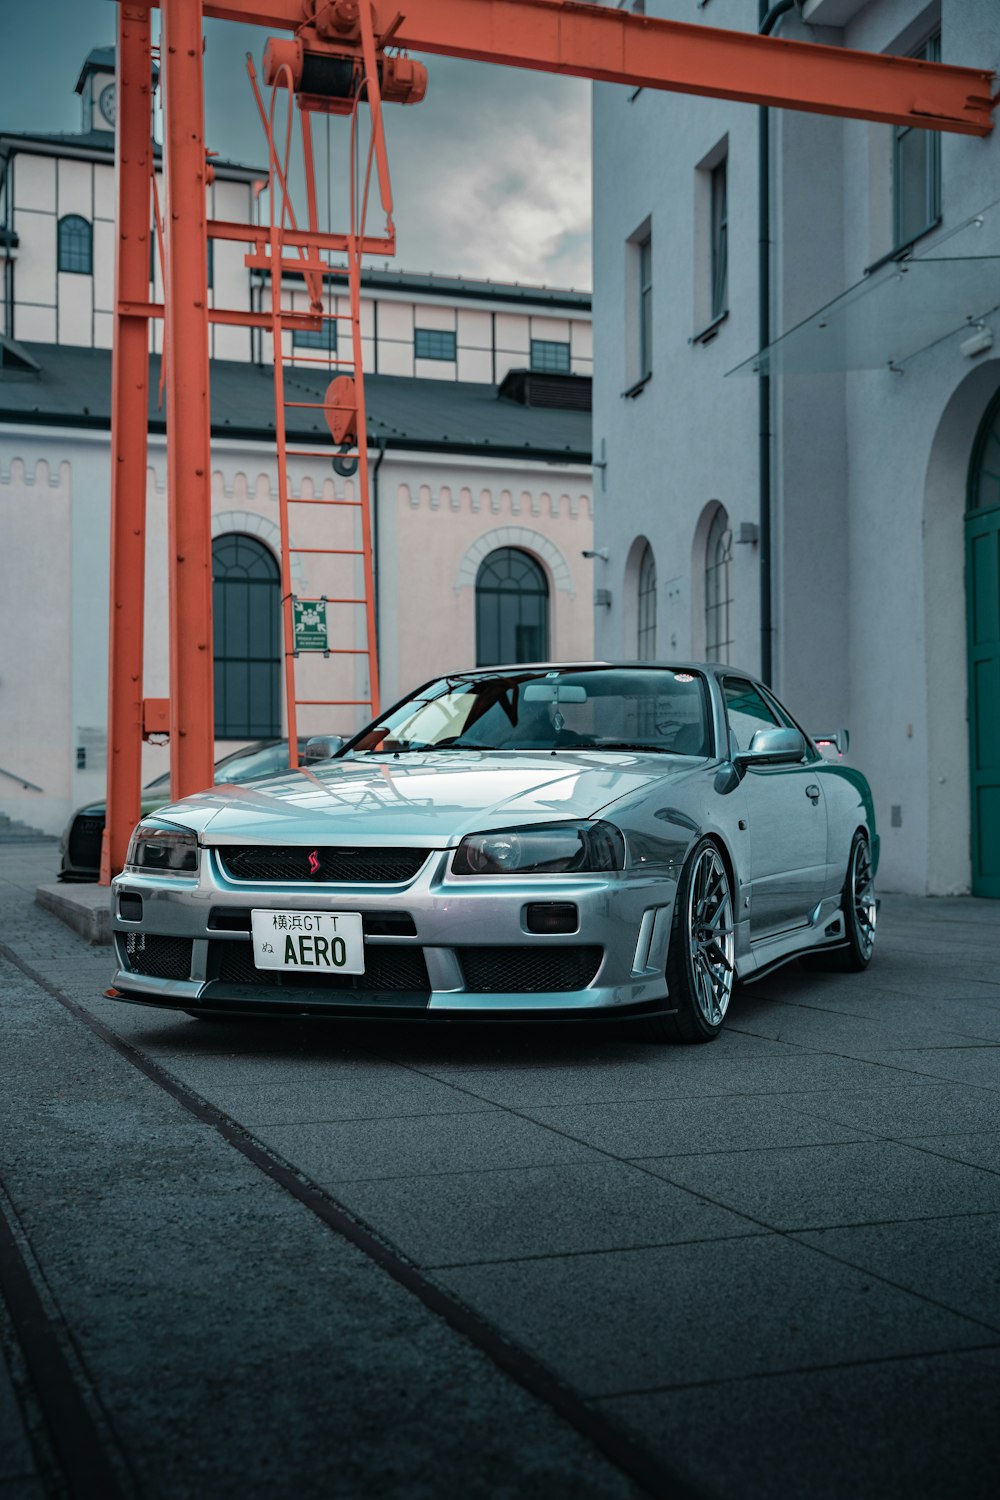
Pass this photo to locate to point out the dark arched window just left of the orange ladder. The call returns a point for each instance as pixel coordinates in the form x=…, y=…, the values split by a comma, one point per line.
x=248, y=638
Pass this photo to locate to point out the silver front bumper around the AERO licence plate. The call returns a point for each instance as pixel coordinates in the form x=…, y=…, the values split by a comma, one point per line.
x=436, y=946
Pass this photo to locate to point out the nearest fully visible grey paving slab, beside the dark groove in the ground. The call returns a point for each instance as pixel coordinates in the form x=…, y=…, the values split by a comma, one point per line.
x=680, y=1315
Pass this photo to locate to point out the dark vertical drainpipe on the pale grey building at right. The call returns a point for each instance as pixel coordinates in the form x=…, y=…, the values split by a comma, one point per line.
x=767, y=22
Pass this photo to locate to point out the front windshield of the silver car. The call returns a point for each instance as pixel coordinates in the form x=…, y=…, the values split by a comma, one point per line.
x=593, y=709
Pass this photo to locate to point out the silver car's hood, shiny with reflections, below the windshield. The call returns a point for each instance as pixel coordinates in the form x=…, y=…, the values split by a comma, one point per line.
x=422, y=799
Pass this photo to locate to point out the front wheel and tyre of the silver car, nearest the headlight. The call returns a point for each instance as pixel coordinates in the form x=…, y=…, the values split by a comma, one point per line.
x=701, y=959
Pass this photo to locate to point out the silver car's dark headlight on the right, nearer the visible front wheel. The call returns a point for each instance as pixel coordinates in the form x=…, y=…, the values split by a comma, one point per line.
x=543, y=850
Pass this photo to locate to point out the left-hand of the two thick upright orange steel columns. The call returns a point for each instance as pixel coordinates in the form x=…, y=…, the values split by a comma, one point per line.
x=130, y=409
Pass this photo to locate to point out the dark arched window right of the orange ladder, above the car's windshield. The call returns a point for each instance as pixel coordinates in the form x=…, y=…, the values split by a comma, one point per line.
x=512, y=610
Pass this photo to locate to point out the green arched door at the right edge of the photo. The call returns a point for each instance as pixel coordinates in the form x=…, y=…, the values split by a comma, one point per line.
x=983, y=604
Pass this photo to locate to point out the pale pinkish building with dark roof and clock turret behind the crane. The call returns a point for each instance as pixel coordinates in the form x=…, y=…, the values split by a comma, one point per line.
x=479, y=430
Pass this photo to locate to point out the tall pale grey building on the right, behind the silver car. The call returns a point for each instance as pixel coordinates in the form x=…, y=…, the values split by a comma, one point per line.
x=885, y=416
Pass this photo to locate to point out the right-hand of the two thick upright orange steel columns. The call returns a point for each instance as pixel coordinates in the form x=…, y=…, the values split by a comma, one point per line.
x=188, y=416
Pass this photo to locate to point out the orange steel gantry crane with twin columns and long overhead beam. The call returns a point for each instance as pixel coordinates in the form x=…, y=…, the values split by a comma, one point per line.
x=563, y=37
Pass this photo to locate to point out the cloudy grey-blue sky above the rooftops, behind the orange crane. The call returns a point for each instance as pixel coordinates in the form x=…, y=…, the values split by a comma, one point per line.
x=491, y=173
